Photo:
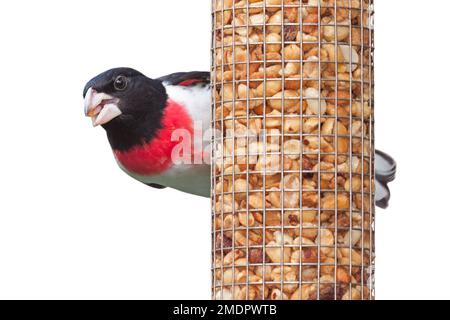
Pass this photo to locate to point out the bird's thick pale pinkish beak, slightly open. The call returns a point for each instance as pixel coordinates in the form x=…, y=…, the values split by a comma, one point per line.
x=101, y=107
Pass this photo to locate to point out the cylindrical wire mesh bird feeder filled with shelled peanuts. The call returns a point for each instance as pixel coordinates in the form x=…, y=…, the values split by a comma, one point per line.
x=293, y=159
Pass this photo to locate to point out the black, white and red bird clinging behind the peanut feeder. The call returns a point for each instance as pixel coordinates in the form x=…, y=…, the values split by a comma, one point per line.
x=140, y=116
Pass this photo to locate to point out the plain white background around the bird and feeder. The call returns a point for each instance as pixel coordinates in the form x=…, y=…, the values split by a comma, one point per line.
x=73, y=226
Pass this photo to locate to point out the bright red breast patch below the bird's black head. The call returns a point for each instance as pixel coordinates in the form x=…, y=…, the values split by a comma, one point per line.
x=156, y=156
